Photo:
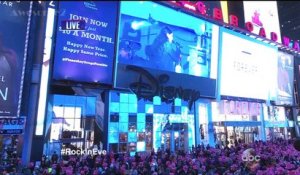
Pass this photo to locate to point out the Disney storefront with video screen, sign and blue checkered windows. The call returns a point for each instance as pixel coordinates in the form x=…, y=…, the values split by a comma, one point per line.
x=169, y=95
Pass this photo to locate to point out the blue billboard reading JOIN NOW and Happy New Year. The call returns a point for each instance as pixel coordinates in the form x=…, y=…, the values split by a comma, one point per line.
x=86, y=55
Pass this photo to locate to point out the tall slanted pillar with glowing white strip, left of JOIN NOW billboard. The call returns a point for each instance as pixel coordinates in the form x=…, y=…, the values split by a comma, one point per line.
x=34, y=132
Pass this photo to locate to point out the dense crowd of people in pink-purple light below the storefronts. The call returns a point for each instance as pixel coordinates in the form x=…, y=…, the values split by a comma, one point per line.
x=277, y=157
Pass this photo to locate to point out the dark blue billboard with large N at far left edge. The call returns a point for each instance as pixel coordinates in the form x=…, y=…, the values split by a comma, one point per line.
x=13, y=48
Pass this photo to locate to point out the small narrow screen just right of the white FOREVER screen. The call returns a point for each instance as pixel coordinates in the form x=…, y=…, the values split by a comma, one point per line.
x=285, y=79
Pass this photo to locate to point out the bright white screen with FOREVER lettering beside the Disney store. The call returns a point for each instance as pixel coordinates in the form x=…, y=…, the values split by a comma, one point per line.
x=248, y=68
